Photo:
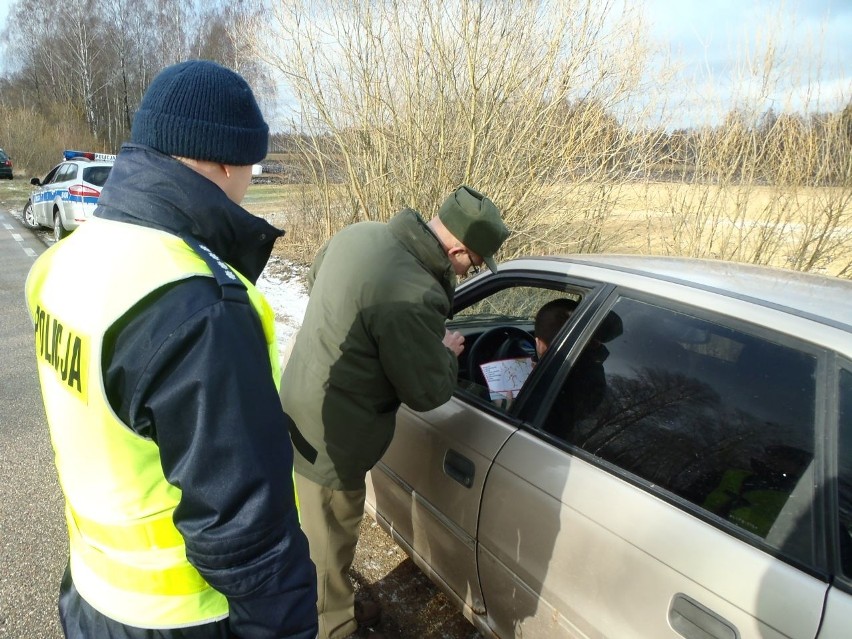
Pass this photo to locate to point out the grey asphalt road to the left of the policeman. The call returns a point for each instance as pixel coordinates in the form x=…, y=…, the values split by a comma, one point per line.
x=32, y=529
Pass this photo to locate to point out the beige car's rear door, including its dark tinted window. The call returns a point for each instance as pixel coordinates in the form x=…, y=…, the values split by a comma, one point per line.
x=678, y=499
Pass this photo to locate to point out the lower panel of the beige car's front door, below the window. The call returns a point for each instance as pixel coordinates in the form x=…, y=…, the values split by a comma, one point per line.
x=427, y=489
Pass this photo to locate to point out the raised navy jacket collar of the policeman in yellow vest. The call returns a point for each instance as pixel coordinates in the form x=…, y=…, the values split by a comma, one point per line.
x=148, y=188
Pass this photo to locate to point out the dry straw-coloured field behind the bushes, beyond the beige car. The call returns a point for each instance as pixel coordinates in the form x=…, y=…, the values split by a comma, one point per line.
x=803, y=228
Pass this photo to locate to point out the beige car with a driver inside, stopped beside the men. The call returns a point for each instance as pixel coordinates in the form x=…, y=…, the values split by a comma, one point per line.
x=678, y=464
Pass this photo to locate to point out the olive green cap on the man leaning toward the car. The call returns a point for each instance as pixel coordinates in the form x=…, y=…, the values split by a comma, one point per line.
x=474, y=220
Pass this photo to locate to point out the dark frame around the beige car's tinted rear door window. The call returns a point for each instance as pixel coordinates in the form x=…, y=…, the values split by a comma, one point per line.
x=547, y=389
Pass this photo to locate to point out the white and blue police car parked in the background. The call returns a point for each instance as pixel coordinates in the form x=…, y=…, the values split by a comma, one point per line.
x=68, y=194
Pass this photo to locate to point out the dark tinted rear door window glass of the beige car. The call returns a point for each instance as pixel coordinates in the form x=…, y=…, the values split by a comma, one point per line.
x=717, y=416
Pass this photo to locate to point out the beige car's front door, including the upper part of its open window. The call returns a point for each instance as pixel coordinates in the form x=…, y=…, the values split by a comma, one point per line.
x=427, y=487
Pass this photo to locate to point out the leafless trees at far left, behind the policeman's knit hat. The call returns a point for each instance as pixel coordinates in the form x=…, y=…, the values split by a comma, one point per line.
x=74, y=72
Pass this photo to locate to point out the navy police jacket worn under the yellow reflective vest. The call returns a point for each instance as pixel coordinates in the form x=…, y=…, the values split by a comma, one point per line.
x=191, y=371
